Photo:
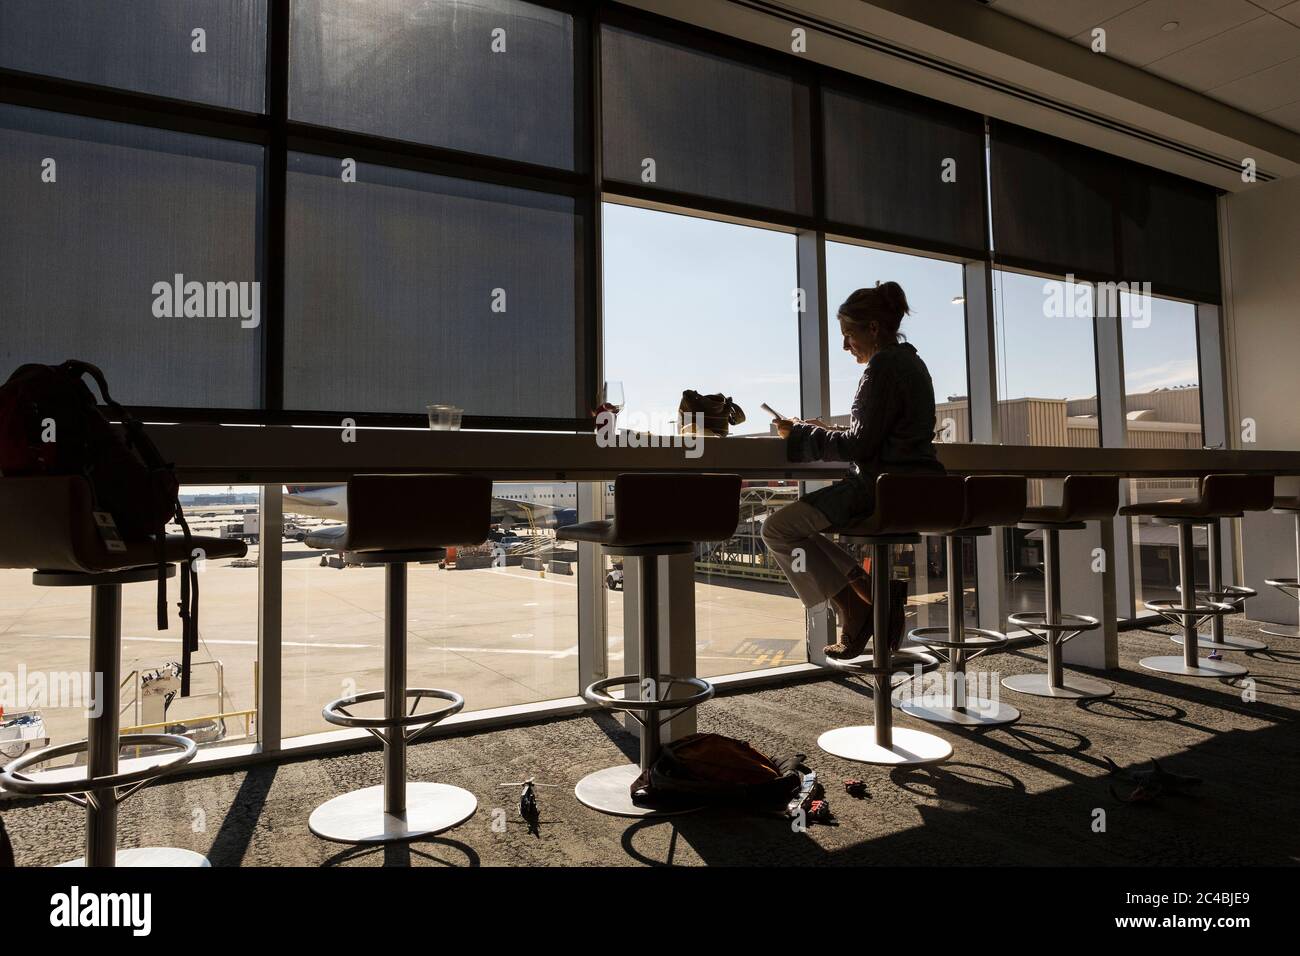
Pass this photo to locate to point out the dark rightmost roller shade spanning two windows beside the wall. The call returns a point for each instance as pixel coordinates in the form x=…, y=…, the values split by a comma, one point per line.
x=1067, y=209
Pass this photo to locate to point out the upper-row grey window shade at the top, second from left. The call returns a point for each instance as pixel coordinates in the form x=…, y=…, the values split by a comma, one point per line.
x=427, y=73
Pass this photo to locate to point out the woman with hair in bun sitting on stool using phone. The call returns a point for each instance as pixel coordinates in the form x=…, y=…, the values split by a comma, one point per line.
x=891, y=430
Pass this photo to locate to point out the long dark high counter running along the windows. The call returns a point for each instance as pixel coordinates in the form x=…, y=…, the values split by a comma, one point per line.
x=268, y=455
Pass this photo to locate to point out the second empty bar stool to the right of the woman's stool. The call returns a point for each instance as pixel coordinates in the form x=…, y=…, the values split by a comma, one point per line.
x=1084, y=499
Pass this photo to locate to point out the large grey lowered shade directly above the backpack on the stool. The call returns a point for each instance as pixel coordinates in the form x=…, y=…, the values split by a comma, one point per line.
x=131, y=207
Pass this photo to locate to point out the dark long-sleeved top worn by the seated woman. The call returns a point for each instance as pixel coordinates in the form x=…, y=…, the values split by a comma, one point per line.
x=892, y=423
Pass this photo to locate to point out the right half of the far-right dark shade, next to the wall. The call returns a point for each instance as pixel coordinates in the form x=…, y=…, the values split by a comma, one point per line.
x=1169, y=233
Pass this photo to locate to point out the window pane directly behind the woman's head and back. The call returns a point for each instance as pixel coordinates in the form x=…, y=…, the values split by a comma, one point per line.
x=937, y=327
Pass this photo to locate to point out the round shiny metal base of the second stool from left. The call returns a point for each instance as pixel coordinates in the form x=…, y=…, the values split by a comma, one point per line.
x=359, y=817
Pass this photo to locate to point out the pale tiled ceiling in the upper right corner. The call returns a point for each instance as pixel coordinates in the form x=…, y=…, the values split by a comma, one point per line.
x=1243, y=53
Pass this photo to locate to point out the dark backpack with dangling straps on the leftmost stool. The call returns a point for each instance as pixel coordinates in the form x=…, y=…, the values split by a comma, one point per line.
x=51, y=425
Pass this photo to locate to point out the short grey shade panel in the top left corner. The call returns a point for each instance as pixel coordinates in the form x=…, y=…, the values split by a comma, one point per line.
x=145, y=46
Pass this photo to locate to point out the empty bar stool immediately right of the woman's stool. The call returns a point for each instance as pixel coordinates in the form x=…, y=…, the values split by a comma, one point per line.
x=990, y=501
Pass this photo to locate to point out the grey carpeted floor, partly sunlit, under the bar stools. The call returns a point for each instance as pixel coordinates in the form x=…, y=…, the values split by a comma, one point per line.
x=1037, y=793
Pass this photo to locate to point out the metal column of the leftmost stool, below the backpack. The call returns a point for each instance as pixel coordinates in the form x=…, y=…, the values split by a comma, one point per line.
x=106, y=661
